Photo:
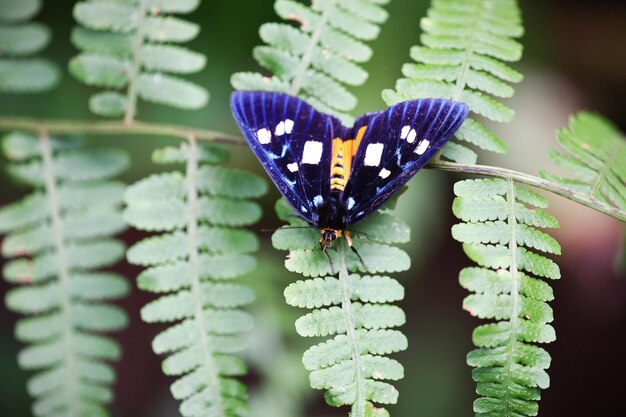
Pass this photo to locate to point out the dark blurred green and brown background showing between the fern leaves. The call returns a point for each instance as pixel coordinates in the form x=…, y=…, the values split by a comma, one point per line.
x=574, y=59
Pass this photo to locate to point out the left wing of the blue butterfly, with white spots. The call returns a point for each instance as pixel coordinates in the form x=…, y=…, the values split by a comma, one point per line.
x=293, y=142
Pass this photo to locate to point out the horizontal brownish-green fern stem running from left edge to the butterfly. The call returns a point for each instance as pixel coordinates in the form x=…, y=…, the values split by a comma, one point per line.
x=117, y=128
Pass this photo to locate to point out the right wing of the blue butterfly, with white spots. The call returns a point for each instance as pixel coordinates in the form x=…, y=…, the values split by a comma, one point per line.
x=396, y=144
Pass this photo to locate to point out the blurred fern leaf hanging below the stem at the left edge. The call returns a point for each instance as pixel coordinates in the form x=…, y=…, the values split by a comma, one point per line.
x=58, y=239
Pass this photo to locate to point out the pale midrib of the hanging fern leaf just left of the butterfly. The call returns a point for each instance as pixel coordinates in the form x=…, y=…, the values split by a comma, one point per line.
x=196, y=290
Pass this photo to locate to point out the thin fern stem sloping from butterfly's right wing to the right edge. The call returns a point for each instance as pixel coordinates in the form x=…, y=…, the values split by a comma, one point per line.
x=520, y=177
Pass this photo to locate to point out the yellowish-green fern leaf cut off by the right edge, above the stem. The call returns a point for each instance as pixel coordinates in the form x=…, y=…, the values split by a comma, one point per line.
x=594, y=150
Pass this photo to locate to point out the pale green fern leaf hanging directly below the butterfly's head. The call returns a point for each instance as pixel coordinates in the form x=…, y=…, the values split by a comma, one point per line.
x=351, y=367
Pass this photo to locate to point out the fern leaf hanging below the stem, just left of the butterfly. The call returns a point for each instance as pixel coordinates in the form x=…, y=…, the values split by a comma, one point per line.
x=190, y=263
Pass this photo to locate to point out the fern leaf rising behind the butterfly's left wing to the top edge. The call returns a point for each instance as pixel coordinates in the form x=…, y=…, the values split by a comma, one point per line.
x=320, y=58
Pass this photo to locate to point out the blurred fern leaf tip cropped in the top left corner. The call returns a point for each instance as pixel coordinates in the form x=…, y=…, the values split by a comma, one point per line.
x=20, y=72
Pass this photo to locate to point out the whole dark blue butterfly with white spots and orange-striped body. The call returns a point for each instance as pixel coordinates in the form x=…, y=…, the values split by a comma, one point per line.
x=334, y=176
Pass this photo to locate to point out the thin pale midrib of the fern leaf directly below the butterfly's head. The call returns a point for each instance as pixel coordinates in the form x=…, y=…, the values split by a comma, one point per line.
x=358, y=408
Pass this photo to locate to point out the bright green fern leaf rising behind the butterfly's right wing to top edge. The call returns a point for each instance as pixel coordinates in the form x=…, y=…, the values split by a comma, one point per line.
x=464, y=48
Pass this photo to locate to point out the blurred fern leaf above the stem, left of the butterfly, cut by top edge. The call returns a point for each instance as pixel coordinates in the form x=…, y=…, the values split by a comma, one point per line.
x=132, y=46
